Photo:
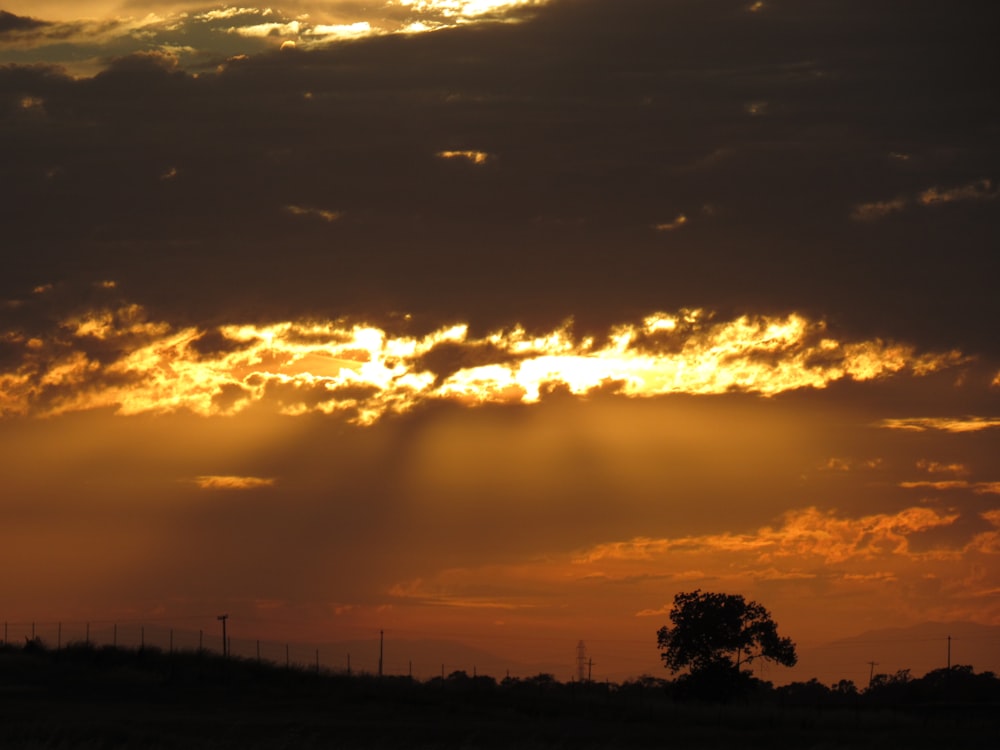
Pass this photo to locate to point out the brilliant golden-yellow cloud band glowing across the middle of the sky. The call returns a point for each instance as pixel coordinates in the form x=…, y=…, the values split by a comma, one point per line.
x=117, y=358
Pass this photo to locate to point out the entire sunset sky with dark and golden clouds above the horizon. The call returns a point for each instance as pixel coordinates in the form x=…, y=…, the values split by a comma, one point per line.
x=501, y=323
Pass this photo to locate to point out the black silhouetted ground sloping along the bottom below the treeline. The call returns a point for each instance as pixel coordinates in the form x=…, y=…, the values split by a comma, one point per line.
x=107, y=698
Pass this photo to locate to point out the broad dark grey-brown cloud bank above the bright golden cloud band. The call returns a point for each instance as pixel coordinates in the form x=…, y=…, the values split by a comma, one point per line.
x=766, y=130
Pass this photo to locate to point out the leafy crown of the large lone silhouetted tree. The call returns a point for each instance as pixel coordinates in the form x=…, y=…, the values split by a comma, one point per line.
x=711, y=631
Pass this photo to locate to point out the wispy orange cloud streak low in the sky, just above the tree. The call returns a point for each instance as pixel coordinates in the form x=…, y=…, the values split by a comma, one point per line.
x=809, y=555
